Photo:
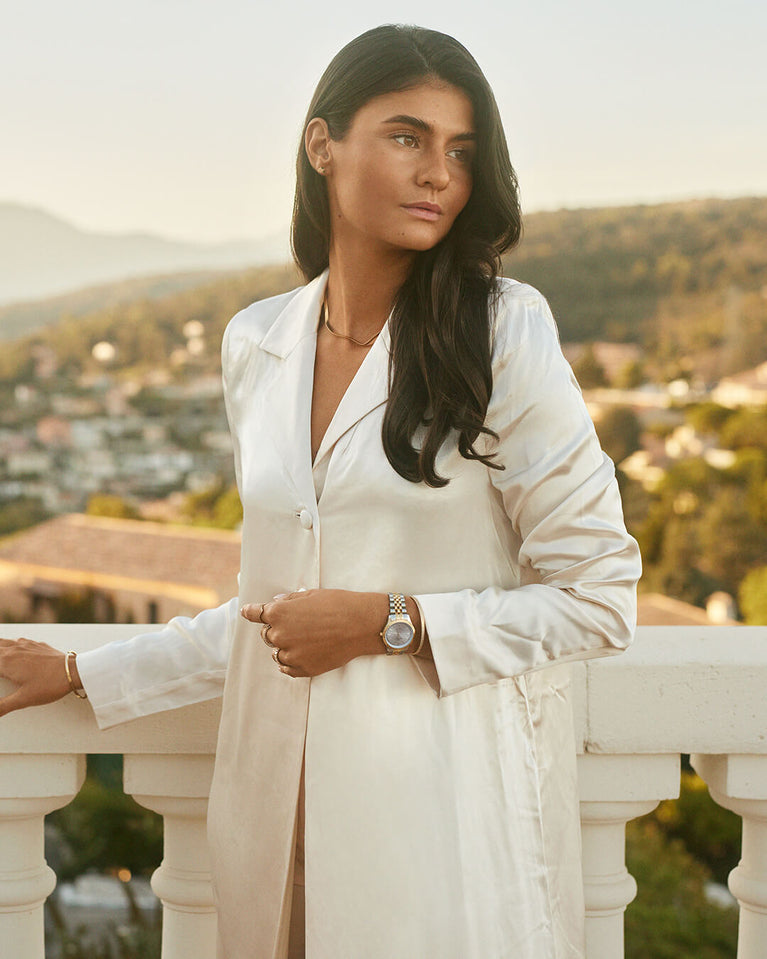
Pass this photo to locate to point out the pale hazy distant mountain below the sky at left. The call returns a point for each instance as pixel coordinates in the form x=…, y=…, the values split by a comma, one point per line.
x=44, y=255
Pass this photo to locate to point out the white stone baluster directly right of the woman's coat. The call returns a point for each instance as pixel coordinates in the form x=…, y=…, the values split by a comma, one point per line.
x=614, y=789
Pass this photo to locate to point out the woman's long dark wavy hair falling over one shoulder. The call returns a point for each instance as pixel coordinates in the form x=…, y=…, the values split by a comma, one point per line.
x=440, y=374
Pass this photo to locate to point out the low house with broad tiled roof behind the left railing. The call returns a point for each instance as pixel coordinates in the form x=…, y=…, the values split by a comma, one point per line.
x=115, y=570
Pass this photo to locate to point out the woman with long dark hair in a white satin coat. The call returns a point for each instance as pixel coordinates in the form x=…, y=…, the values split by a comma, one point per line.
x=420, y=478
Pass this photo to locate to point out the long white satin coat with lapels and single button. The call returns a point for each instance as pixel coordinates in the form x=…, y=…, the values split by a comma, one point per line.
x=442, y=817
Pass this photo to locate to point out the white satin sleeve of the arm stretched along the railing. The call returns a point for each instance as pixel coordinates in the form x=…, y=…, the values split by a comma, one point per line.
x=182, y=663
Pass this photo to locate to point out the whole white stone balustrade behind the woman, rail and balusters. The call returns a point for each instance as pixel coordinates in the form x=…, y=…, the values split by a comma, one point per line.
x=697, y=690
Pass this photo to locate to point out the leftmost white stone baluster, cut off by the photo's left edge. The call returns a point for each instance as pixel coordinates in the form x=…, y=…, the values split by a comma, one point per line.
x=30, y=787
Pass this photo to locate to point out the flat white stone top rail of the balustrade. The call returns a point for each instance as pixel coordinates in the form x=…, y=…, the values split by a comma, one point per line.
x=678, y=689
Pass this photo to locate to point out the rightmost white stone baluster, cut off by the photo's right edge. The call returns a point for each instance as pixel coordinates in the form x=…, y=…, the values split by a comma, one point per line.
x=739, y=782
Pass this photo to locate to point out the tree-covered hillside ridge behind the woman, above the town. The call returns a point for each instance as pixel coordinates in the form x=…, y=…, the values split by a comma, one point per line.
x=686, y=281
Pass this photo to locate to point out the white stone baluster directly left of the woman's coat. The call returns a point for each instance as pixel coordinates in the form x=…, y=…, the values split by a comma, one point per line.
x=177, y=787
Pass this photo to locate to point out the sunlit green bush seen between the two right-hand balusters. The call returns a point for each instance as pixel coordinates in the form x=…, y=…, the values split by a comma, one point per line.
x=671, y=917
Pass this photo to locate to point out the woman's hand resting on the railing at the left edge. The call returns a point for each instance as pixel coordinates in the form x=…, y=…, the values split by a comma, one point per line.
x=37, y=669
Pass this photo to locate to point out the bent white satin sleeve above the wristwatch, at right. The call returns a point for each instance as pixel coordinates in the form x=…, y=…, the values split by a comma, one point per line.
x=578, y=565
